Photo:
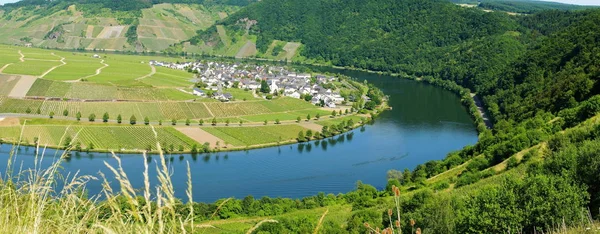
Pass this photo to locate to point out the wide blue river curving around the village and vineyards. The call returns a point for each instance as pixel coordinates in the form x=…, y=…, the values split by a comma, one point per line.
x=425, y=124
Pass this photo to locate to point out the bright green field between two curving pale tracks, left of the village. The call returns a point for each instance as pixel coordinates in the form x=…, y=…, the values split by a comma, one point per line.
x=74, y=70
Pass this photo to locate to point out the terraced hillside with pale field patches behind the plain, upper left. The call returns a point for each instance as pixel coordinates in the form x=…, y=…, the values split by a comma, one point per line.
x=69, y=25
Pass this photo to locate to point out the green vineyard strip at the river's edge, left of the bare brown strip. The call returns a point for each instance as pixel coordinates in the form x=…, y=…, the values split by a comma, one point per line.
x=115, y=138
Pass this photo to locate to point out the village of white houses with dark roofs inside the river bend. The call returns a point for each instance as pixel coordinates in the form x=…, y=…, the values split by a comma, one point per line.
x=213, y=78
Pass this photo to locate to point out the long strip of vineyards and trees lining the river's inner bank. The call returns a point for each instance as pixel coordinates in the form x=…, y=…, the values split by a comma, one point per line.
x=64, y=133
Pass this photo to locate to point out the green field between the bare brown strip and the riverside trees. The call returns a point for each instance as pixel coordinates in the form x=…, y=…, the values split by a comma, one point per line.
x=245, y=136
